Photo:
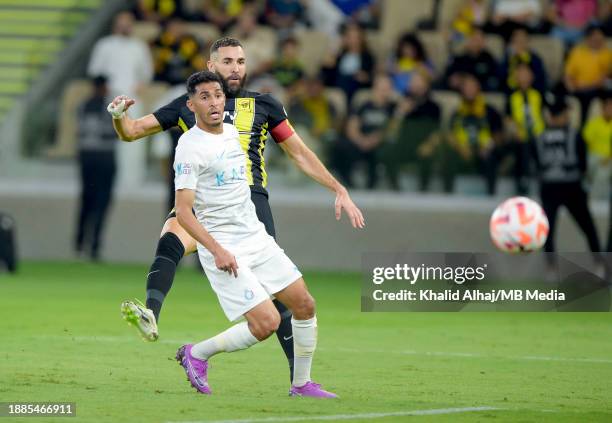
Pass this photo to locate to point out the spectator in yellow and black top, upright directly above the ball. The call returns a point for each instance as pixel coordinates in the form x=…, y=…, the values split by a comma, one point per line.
x=525, y=111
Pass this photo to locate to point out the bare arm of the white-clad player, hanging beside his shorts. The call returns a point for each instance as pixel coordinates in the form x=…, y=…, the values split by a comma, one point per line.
x=224, y=260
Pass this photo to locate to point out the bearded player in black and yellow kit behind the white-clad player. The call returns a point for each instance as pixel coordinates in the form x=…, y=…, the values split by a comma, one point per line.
x=254, y=115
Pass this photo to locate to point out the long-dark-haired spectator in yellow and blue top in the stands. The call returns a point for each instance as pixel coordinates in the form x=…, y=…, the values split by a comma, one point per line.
x=409, y=58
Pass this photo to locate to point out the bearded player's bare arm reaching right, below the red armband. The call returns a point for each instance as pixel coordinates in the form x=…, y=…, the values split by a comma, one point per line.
x=308, y=162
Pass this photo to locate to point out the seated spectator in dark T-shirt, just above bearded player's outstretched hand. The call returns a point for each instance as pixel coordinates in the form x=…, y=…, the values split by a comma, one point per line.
x=365, y=133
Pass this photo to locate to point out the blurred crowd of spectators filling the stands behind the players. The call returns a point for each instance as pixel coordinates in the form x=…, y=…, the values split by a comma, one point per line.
x=376, y=108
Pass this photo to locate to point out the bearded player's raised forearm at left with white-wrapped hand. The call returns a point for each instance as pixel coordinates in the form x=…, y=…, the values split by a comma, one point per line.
x=129, y=129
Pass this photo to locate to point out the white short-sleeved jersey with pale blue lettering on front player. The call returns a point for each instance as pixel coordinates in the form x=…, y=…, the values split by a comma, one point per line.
x=214, y=166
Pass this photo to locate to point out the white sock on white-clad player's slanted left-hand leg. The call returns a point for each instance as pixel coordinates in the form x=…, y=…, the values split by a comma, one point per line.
x=238, y=337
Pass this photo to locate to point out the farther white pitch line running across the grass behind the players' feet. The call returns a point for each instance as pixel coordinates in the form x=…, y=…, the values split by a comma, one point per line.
x=449, y=354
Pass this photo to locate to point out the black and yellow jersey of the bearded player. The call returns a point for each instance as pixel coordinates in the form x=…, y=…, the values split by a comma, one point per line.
x=253, y=114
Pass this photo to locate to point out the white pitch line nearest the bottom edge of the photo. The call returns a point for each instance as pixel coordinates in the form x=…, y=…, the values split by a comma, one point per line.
x=351, y=416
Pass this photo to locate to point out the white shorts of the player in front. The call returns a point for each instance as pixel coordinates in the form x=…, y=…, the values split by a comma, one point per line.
x=260, y=276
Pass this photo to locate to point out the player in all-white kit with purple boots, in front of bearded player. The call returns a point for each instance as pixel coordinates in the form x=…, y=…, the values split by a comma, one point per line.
x=243, y=263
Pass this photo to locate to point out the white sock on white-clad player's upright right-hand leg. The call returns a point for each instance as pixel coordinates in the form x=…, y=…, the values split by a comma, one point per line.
x=304, y=344
